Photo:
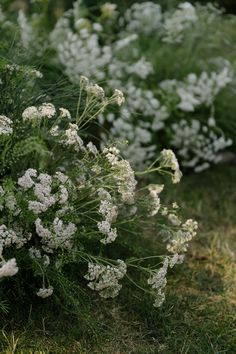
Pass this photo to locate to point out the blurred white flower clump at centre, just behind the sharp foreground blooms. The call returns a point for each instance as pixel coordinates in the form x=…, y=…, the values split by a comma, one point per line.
x=139, y=132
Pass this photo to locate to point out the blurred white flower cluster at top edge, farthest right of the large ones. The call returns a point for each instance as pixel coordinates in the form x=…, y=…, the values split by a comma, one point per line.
x=178, y=22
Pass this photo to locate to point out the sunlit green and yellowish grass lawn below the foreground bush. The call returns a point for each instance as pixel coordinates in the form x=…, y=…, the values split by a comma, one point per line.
x=199, y=315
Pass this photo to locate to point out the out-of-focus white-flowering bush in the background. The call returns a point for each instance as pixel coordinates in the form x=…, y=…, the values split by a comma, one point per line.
x=182, y=110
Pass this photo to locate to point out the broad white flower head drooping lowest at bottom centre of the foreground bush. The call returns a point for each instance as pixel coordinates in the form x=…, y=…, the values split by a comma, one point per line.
x=104, y=279
